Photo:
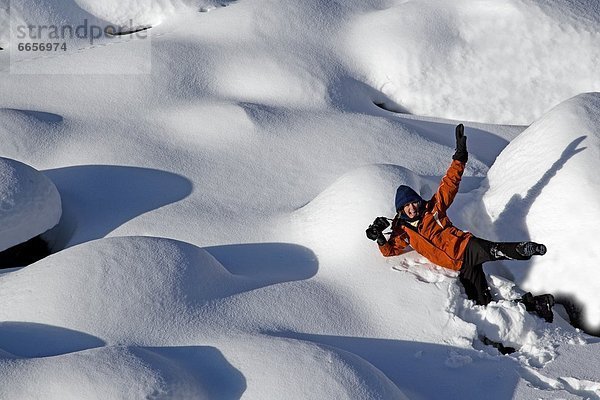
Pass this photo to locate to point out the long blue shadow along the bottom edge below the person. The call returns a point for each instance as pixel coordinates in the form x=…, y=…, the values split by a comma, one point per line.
x=428, y=370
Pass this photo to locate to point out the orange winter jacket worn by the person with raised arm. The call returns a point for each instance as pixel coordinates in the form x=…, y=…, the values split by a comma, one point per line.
x=435, y=238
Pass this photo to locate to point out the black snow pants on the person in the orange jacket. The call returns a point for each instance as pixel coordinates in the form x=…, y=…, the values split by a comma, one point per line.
x=477, y=252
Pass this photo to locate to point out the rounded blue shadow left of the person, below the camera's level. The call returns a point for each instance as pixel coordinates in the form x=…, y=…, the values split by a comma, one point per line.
x=268, y=263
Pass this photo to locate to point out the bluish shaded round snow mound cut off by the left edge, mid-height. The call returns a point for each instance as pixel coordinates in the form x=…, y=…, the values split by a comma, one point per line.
x=29, y=203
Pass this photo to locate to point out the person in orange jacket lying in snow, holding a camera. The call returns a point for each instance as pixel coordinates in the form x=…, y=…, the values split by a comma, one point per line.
x=425, y=226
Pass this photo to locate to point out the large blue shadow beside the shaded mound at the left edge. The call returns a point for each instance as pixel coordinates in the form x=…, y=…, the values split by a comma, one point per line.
x=97, y=199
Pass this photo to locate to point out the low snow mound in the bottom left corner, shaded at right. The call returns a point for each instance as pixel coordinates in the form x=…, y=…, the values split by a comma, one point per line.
x=124, y=373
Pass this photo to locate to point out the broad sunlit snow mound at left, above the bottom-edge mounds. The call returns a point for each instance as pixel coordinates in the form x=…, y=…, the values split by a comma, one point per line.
x=136, y=287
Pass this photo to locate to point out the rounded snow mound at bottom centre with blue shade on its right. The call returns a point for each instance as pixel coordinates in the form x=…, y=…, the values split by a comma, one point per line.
x=296, y=364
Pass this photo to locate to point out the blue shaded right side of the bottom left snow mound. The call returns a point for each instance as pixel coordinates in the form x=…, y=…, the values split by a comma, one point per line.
x=207, y=365
